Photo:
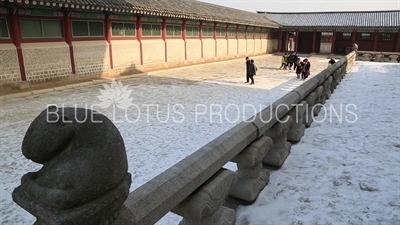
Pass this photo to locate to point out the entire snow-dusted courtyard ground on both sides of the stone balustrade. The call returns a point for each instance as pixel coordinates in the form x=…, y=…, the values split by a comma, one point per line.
x=340, y=173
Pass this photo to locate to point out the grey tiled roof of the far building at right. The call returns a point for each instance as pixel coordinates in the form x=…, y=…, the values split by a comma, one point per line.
x=337, y=19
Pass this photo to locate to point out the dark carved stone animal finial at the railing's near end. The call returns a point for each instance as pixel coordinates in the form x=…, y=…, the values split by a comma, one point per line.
x=84, y=178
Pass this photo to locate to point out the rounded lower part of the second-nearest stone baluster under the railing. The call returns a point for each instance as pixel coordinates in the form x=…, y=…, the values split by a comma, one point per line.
x=248, y=189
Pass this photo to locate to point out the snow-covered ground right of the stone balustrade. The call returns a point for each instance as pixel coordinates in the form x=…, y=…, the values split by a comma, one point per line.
x=342, y=172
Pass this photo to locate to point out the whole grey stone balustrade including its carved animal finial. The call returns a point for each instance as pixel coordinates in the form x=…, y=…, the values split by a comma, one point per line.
x=194, y=188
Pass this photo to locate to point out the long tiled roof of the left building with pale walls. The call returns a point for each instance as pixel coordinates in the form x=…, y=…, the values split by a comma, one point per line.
x=184, y=9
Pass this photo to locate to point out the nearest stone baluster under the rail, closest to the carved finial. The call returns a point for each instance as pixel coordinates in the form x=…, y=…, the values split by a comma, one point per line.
x=204, y=206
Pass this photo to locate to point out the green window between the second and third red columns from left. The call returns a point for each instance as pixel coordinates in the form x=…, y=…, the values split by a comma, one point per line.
x=87, y=29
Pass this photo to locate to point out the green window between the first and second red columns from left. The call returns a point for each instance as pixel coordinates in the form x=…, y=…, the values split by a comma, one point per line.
x=38, y=28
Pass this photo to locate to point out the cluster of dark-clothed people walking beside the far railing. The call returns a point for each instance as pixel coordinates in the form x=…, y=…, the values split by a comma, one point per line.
x=302, y=67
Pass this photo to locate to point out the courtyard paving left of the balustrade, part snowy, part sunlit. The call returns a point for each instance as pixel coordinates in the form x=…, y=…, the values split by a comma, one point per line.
x=155, y=141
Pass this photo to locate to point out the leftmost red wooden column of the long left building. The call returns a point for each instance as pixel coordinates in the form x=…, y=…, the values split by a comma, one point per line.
x=16, y=36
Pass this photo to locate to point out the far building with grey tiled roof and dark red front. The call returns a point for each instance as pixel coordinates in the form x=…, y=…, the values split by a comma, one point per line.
x=335, y=32
